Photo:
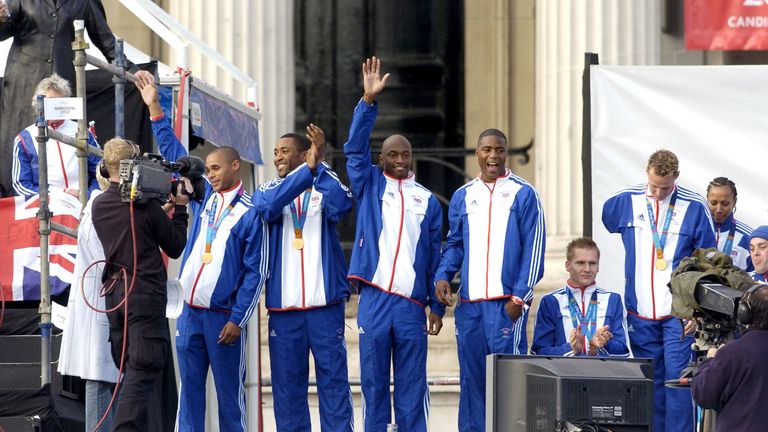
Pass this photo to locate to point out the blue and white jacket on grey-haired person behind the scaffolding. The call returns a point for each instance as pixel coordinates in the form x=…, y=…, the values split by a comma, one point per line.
x=63, y=166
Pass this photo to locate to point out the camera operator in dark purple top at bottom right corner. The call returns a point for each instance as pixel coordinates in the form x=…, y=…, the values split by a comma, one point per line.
x=732, y=380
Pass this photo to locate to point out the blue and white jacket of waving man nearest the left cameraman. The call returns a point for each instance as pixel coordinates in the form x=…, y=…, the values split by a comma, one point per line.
x=234, y=279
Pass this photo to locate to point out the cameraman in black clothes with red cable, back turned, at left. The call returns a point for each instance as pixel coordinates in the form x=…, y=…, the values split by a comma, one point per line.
x=148, y=395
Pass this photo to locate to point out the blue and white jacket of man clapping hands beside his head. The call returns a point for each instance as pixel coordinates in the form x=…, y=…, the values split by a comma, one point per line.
x=316, y=275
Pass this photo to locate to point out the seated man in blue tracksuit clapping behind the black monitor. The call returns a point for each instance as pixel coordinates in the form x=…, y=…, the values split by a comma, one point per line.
x=581, y=319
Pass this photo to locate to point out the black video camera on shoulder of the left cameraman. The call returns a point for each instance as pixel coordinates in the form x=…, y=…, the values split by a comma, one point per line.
x=151, y=177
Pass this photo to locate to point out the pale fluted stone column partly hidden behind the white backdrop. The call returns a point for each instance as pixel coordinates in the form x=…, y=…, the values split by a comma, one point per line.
x=622, y=33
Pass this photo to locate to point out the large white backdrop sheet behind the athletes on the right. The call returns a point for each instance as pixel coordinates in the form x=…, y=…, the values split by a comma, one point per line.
x=714, y=118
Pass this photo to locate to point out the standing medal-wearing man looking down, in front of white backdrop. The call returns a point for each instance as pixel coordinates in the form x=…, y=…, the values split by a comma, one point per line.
x=660, y=223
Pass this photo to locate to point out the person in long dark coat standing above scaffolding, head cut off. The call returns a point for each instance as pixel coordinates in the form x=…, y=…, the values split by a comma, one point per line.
x=42, y=32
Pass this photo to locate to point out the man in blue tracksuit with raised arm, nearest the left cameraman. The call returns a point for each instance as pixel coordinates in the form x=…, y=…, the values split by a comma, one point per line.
x=223, y=270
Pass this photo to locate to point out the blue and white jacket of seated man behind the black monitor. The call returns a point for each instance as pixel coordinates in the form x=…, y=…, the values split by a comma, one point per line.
x=553, y=327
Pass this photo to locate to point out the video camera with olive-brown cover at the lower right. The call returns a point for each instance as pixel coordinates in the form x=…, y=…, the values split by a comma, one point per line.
x=708, y=287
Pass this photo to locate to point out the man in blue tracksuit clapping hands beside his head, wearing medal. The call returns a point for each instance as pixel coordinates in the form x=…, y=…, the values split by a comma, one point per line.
x=307, y=289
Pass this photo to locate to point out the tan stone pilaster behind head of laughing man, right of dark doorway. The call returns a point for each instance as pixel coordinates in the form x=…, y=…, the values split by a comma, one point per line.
x=499, y=71
